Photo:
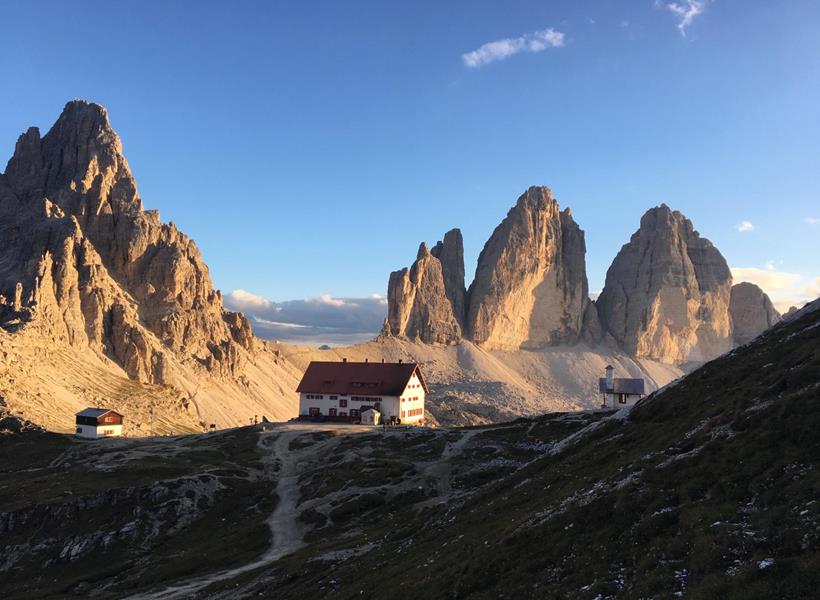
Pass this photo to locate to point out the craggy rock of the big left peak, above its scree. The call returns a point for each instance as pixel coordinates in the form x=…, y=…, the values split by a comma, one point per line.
x=80, y=253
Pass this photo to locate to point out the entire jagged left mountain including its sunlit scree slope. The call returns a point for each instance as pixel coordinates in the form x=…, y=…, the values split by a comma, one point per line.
x=84, y=267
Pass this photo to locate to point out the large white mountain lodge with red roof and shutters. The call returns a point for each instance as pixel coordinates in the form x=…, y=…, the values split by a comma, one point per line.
x=343, y=390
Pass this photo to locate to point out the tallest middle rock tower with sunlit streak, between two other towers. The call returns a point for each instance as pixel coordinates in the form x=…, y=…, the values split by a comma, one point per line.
x=530, y=288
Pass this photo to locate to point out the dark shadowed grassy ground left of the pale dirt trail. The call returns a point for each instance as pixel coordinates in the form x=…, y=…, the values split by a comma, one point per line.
x=128, y=510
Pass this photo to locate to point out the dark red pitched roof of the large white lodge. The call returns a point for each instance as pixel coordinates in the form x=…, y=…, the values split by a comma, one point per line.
x=359, y=379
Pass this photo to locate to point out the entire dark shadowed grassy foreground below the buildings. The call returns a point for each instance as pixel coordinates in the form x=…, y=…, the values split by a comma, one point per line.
x=708, y=489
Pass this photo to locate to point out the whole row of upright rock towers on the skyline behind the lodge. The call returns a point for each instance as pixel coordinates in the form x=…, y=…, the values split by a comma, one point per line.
x=668, y=294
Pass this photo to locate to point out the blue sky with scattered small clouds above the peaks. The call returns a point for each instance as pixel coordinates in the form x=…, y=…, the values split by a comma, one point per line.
x=309, y=147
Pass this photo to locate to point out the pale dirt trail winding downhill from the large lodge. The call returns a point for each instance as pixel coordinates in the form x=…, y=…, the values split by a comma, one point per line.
x=286, y=530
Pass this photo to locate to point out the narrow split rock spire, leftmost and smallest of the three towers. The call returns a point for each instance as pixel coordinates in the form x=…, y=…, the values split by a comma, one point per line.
x=419, y=305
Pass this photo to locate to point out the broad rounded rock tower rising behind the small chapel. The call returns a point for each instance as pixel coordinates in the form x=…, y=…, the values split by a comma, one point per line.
x=667, y=292
